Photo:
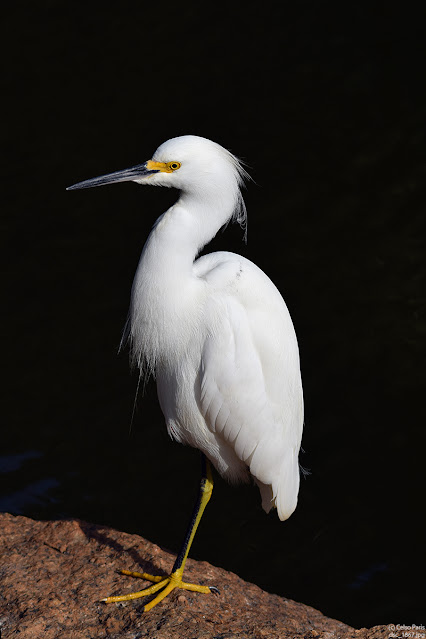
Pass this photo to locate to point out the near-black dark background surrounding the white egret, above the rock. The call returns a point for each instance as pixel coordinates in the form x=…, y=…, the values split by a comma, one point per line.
x=328, y=108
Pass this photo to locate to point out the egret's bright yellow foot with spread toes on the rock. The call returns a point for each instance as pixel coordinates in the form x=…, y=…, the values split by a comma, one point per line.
x=168, y=583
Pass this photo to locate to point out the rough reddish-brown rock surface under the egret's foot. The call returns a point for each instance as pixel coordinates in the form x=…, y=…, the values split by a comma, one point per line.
x=53, y=573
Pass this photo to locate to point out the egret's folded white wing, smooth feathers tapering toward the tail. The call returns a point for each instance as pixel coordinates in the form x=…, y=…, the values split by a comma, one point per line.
x=251, y=394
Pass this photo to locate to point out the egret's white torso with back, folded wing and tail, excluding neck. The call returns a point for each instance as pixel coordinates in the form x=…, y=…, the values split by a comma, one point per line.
x=247, y=409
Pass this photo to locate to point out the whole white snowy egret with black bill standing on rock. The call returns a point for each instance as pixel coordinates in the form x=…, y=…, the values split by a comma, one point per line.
x=218, y=337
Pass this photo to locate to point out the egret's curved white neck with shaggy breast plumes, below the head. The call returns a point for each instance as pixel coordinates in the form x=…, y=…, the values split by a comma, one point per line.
x=166, y=295
